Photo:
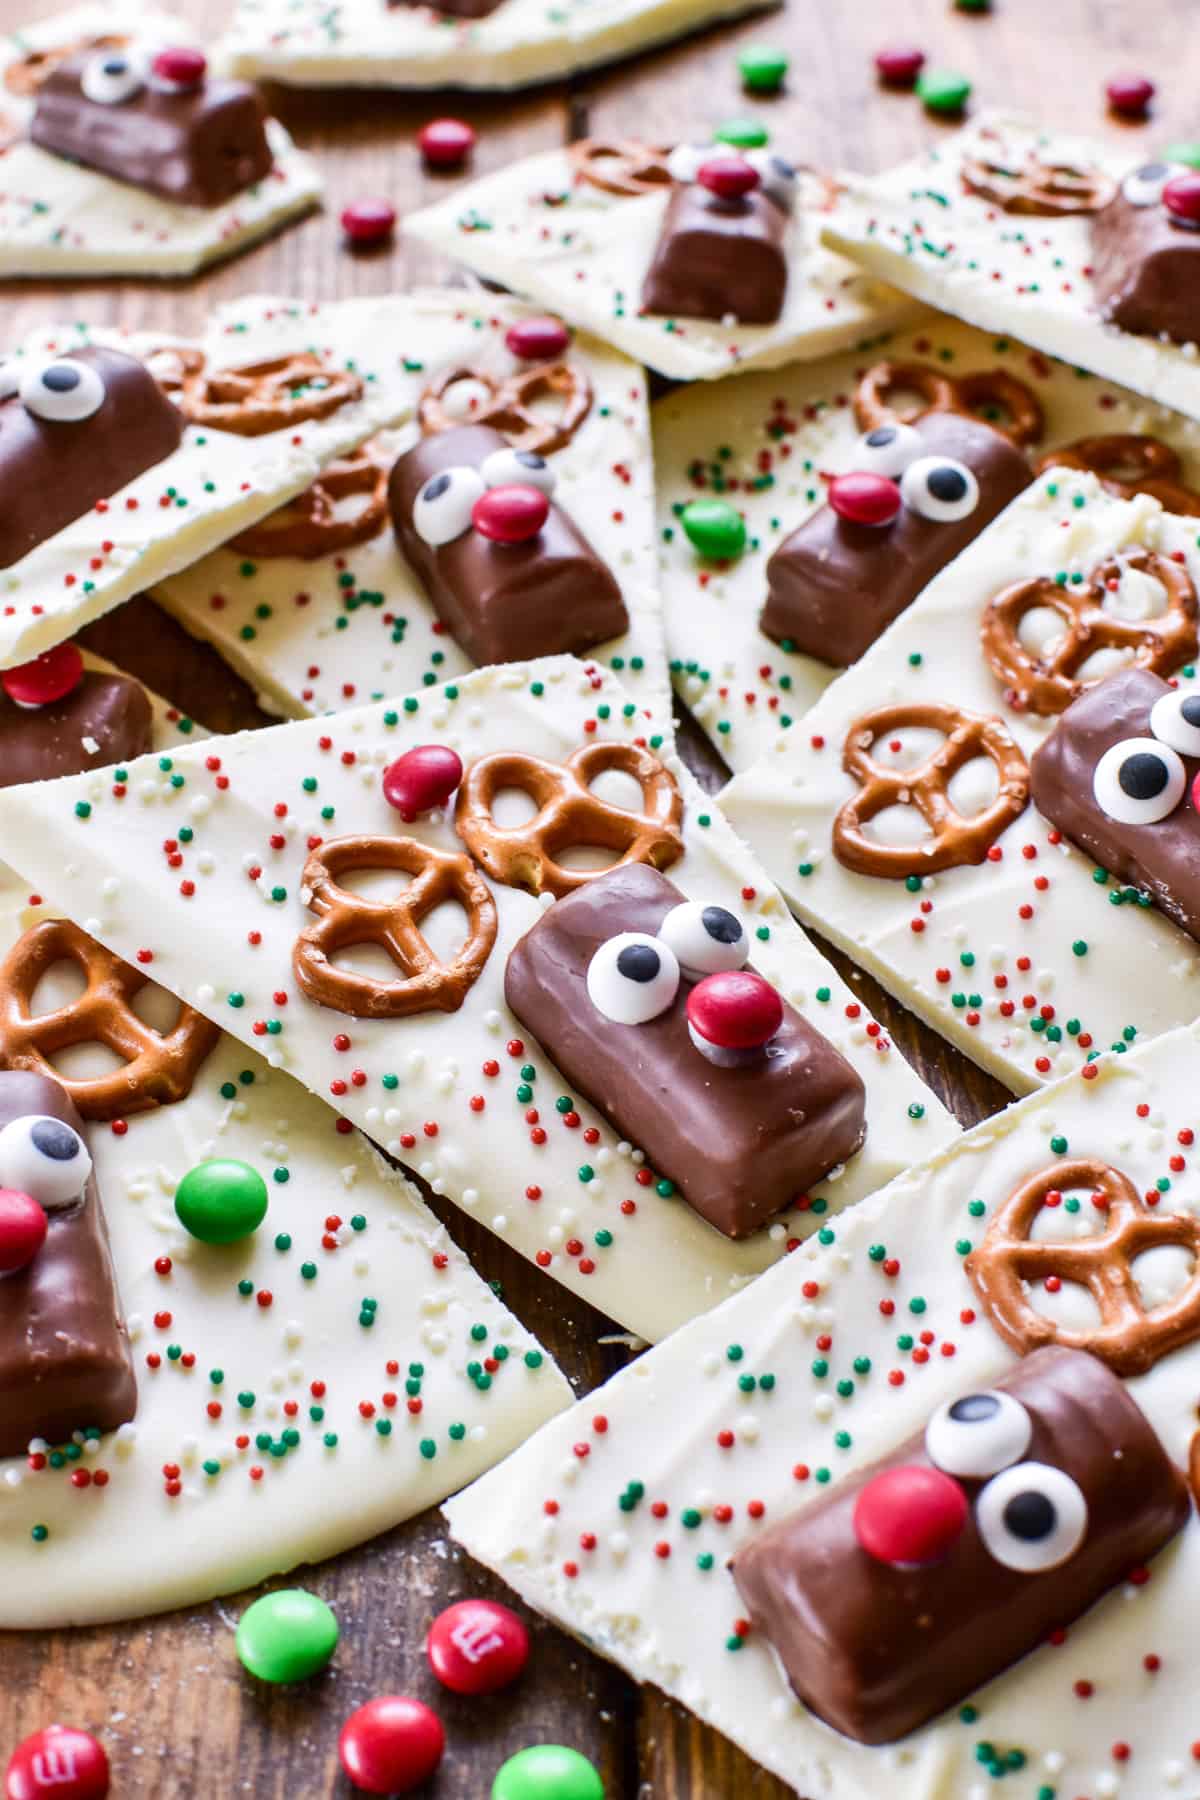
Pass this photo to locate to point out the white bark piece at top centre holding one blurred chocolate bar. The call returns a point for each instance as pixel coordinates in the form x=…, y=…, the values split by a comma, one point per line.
x=584, y=253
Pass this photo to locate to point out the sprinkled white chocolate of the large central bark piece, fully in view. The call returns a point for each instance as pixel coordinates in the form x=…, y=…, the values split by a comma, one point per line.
x=467, y=1099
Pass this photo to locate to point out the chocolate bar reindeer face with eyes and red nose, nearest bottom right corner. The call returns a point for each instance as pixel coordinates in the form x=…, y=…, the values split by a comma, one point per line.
x=935, y=1570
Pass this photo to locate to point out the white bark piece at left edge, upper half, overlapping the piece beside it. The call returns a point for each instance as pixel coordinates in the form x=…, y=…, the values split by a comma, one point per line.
x=217, y=483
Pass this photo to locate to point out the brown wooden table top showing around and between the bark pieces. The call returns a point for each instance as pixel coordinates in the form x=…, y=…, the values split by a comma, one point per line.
x=168, y=1696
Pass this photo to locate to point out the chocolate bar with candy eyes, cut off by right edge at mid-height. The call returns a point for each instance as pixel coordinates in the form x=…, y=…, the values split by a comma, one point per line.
x=1116, y=778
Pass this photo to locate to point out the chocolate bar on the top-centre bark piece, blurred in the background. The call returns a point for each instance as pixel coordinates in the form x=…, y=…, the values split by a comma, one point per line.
x=719, y=258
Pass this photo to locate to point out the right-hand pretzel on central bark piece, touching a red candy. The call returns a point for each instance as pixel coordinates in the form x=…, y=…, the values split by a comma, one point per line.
x=569, y=816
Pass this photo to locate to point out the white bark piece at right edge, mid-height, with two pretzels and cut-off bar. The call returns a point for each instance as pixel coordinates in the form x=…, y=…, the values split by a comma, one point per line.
x=1021, y=960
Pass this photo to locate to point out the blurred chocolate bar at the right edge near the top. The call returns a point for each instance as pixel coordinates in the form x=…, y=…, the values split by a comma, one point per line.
x=1147, y=271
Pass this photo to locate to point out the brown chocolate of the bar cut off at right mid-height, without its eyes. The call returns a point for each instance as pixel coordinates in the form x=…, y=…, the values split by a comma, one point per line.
x=1165, y=858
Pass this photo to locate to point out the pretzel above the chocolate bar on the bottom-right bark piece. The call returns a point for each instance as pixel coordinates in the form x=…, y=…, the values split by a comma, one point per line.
x=1131, y=1336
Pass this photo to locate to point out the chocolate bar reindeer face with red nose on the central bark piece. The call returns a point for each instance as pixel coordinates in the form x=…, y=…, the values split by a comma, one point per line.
x=742, y=1138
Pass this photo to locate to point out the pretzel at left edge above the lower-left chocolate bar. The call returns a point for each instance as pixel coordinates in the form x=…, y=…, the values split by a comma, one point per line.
x=157, y=1068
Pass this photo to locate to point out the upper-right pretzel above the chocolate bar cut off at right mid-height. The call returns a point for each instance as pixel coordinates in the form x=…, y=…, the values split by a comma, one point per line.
x=1048, y=683
